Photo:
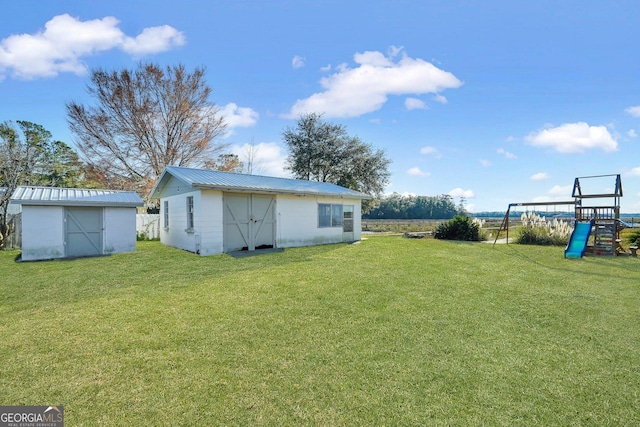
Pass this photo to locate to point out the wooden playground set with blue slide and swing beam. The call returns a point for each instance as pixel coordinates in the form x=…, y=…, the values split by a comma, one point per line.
x=597, y=223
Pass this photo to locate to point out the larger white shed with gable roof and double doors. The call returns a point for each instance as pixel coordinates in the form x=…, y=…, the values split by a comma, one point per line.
x=210, y=212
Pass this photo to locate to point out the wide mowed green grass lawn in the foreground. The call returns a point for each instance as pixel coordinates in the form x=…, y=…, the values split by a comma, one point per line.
x=391, y=331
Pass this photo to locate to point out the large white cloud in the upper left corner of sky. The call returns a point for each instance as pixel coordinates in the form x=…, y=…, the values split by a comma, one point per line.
x=66, y=40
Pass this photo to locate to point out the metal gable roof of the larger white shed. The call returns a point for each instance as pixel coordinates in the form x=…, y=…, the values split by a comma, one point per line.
x=226, y=181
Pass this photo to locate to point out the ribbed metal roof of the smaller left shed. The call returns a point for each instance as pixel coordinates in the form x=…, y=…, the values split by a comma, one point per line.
x=50, y=196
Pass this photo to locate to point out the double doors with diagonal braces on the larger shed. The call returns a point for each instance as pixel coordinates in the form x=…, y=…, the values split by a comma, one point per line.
x=249, y=222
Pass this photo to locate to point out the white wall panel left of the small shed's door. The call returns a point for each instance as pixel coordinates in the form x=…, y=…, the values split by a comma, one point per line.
x=42, y=232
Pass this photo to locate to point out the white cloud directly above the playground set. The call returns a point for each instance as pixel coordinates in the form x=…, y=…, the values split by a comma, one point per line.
x=574, y=138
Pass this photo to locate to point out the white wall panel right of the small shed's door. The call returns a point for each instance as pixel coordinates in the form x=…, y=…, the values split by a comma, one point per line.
x=120, y=230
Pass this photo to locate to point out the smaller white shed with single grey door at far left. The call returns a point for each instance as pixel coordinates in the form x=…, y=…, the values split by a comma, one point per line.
x=72, y=222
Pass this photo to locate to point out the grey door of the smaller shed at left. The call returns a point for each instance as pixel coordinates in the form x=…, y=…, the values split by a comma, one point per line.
x=83, y=231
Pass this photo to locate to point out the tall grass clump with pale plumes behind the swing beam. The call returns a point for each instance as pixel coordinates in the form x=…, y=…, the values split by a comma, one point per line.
x=537, y=230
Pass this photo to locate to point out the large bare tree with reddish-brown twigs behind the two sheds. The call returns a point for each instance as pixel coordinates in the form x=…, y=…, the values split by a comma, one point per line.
x=145, y=120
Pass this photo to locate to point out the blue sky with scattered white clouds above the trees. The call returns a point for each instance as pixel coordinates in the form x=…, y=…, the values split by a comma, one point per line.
x=496, y=101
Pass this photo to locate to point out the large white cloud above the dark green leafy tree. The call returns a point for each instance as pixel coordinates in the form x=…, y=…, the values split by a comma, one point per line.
x=352, y=92
